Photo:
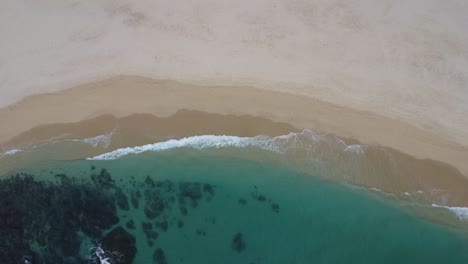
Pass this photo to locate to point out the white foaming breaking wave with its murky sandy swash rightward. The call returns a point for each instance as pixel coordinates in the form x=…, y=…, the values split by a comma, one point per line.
x=328, y=156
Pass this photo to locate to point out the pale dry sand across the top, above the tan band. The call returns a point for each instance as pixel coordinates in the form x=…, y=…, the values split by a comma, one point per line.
x=403, y=59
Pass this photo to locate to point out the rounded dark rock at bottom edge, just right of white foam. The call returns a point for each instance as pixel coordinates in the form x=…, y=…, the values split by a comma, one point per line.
x=119, y=240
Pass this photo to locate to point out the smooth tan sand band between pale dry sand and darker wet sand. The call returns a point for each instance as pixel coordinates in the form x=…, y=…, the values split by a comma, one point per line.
x=131, y=94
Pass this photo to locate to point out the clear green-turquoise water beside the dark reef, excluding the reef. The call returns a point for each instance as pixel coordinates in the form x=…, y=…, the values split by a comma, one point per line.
x=259, y=213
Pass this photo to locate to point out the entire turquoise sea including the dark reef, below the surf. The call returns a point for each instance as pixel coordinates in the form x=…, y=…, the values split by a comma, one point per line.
x=185, y=207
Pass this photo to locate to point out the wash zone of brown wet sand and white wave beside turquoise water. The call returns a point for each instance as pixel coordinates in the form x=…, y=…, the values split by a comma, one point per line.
x=373, y=168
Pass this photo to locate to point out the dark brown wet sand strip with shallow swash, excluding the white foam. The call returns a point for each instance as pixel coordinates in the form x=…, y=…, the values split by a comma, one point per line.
x=384, y=168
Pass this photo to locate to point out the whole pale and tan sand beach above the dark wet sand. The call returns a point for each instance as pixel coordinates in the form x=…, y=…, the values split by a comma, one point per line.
x=382, y=72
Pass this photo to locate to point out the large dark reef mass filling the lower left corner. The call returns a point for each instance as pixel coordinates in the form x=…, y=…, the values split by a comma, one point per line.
x=52, y=215
